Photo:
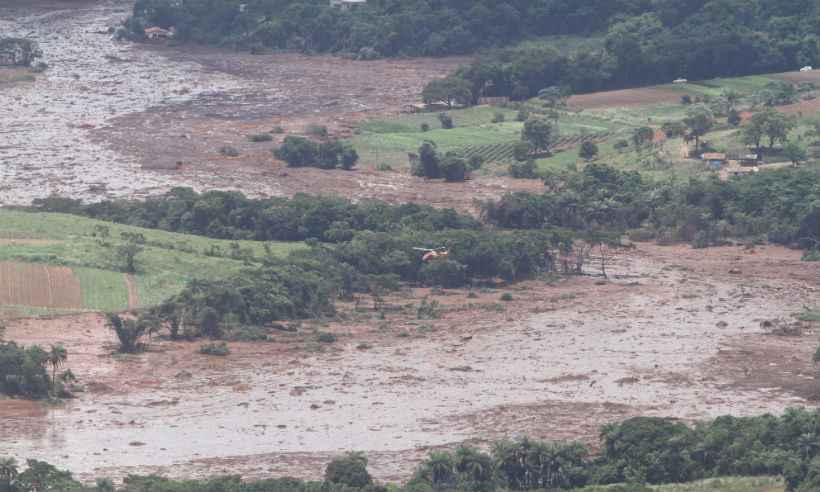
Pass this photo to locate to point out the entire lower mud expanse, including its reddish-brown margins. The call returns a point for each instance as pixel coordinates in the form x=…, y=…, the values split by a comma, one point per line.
x=675, y=332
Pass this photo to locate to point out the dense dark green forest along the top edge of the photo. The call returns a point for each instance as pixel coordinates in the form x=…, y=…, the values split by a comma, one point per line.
x=642, y=41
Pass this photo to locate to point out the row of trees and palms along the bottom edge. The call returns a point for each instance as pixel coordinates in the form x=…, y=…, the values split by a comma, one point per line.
x=634, y=452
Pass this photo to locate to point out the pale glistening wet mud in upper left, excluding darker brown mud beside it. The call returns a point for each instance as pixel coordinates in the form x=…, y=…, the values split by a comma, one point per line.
x=44, y=144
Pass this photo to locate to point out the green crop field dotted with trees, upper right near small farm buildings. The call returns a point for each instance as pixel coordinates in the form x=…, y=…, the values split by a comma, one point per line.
x=386, y=143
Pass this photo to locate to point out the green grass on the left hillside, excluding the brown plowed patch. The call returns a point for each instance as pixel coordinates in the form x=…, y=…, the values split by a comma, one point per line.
x=166, y=264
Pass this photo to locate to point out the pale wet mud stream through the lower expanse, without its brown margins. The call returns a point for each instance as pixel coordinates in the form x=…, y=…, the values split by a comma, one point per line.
x=644, y=353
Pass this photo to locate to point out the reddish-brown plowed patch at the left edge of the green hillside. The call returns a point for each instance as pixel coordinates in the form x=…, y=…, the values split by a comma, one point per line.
x=39, y=285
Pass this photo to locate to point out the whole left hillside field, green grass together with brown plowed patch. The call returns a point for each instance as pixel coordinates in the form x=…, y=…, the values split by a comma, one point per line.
x=54, y=263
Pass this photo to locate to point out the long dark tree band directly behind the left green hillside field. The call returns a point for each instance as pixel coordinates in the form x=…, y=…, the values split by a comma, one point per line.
x=232, y=215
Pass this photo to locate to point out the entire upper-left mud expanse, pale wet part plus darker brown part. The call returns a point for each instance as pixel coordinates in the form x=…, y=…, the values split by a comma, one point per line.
x=116, y=119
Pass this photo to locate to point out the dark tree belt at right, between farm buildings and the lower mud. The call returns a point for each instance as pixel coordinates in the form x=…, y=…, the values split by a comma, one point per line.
x=780, y=206
